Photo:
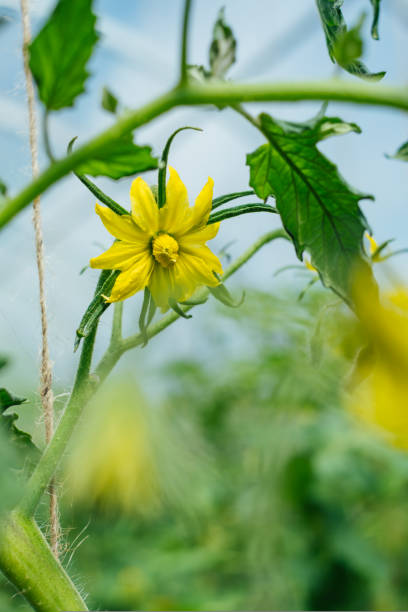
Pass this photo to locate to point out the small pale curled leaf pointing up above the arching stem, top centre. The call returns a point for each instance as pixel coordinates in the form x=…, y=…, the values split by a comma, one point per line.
x=223, y=47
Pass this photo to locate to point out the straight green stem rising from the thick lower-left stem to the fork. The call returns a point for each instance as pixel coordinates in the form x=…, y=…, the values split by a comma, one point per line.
x=53, y=453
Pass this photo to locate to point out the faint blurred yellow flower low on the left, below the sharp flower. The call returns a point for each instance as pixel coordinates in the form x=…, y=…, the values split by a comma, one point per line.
x=113, y=462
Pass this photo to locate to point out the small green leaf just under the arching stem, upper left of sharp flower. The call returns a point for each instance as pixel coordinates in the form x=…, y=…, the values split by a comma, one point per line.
x=119, y=158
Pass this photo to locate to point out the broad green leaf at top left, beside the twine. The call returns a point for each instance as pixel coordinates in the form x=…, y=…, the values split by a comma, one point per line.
x=60, y=52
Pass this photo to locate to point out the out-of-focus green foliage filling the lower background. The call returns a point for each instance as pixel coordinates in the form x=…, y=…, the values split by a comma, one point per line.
x=254, y=487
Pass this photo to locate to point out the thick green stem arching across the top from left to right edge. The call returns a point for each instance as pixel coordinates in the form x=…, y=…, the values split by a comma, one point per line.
x=227, y=93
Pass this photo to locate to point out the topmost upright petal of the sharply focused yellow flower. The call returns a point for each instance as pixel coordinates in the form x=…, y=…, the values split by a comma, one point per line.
x=175, y=214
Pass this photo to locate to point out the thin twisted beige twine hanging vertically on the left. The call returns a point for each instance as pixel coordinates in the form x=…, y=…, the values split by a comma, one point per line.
x=47, y=398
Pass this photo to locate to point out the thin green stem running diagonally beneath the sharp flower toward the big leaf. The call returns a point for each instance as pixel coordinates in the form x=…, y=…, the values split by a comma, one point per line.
x=111, y=357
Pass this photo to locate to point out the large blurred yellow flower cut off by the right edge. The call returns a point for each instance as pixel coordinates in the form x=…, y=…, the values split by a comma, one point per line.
x=382, y=398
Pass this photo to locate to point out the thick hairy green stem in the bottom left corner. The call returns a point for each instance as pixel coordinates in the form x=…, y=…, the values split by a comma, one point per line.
x=27, y=561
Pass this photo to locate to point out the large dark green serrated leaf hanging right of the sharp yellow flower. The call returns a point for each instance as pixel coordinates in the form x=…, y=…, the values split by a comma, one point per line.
x=318, y=209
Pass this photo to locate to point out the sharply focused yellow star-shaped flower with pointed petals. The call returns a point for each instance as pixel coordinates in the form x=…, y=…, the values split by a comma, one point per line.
x=162, y=249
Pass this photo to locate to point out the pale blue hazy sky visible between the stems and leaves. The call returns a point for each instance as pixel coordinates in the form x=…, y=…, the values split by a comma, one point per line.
x=137, y=57
